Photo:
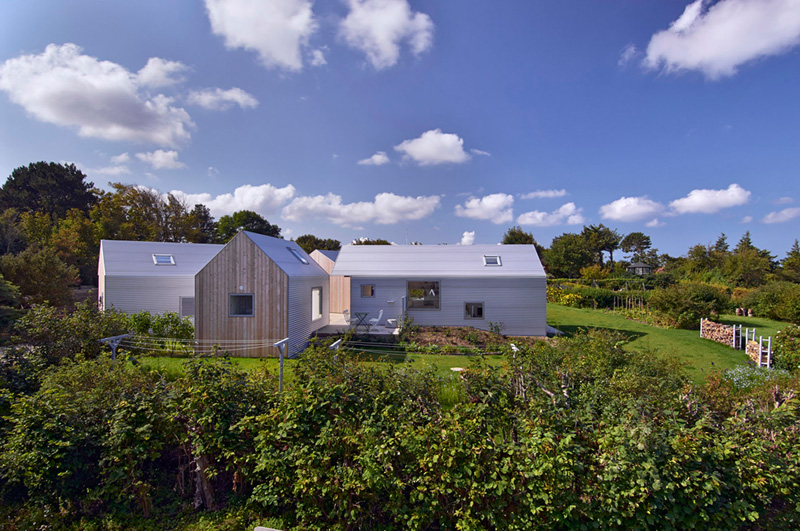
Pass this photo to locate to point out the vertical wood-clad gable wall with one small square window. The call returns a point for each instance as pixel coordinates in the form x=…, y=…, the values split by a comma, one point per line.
x=242, y=268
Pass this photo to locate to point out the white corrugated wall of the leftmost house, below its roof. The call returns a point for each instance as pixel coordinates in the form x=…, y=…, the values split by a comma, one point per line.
x=156, y=295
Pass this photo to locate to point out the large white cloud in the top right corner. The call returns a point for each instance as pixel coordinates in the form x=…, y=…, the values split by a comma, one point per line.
x=717, y=38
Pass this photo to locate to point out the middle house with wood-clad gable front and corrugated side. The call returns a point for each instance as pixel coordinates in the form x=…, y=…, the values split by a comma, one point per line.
x=258, y=290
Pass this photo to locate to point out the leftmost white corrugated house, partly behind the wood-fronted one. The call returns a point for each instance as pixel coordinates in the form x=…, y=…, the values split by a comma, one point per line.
x=156, y=277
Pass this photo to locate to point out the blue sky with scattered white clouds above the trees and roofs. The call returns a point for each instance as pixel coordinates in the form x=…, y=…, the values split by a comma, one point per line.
x=440, y=122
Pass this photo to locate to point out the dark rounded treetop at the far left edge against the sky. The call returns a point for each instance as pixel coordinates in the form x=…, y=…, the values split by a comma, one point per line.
x=50, y=188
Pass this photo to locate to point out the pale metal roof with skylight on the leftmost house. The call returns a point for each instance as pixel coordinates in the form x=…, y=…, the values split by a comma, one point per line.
x=122, y=258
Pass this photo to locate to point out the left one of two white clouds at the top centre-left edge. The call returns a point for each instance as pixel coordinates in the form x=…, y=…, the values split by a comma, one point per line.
x=277, y=30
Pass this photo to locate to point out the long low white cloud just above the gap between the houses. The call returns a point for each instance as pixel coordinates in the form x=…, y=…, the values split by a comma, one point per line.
x=387, y=208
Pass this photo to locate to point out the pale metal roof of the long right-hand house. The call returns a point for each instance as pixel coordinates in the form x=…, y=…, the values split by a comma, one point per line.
x=437, y=261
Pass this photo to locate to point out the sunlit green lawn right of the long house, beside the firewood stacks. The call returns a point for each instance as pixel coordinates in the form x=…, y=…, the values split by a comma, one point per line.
x=701, y=356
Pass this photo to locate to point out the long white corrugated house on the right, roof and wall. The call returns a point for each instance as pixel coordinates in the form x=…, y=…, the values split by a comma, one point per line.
x=461, y=285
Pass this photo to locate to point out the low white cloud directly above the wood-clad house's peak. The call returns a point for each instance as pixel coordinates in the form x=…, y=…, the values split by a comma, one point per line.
x=264, y=199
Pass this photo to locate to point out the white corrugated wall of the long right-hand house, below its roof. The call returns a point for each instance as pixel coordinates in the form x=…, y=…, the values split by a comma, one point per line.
x=518, y=303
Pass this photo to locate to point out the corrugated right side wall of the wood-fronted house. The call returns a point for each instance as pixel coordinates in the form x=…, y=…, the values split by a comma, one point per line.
x=300, y=324
